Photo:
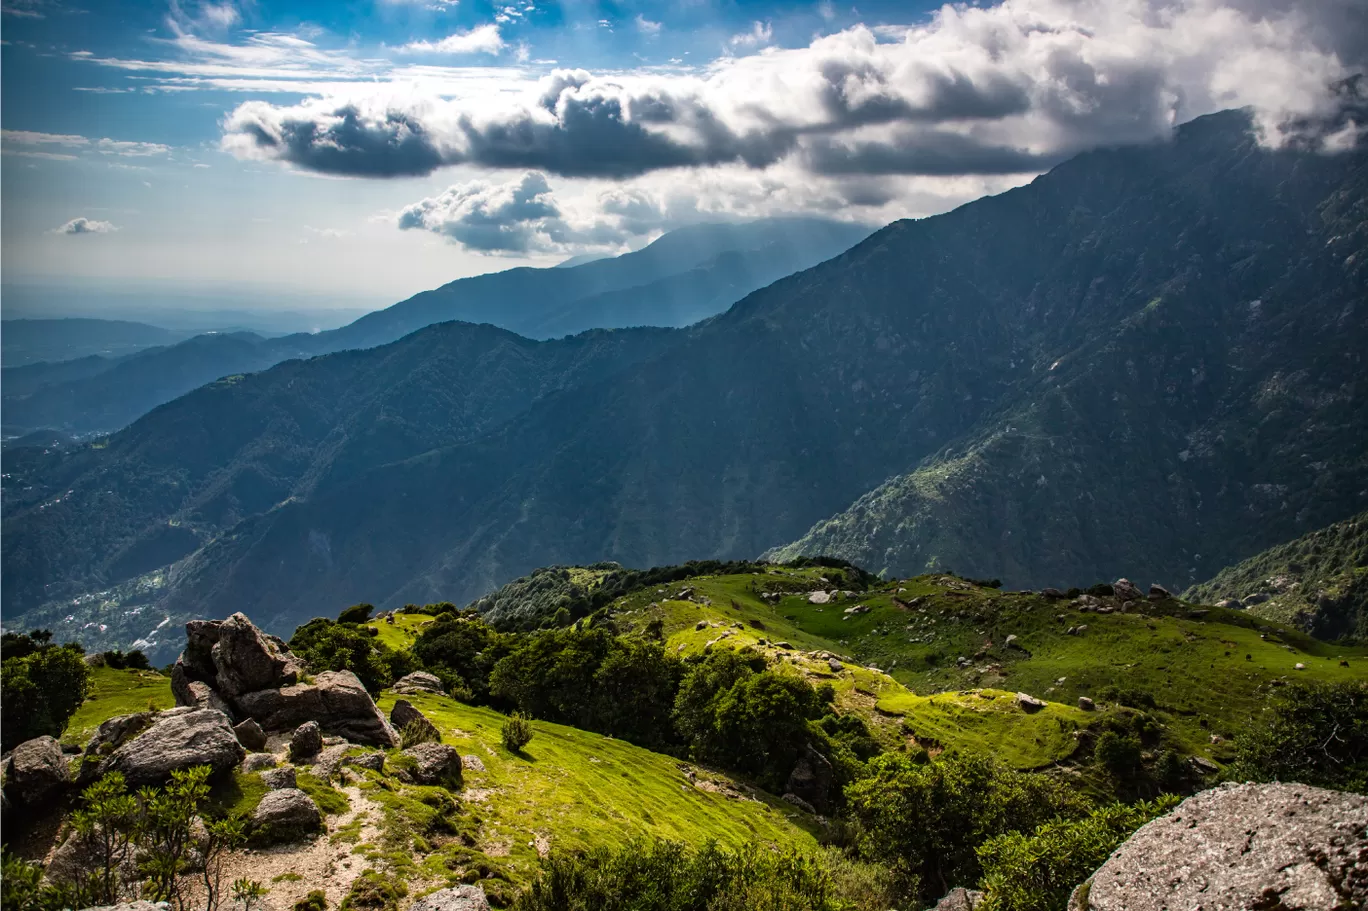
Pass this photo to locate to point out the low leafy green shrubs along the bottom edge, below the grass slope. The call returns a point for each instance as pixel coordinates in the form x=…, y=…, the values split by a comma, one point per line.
x=668, y=876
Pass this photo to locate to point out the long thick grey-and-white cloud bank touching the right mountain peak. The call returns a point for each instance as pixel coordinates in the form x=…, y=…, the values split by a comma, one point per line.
x=1006, y=90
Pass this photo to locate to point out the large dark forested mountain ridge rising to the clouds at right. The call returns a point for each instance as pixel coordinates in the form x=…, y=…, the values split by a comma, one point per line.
x=1147, y=363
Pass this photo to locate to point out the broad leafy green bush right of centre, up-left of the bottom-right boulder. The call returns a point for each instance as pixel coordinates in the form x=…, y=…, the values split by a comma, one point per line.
x=927, y=820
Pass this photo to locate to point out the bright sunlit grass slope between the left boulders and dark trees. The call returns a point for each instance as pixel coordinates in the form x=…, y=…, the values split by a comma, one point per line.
x=586, y=791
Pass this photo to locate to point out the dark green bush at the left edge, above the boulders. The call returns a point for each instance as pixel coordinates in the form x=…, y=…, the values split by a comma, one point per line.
x=44, y=685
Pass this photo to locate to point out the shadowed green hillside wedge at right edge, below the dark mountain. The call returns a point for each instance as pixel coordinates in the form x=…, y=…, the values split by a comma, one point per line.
x=1318, y=582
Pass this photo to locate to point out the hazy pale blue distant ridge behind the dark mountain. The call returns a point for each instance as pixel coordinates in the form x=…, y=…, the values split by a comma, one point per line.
x=683, y=277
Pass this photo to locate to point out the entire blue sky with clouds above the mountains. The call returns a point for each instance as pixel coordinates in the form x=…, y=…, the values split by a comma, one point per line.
x=341, y=154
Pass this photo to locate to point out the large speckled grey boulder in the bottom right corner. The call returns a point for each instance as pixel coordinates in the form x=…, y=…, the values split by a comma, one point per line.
x=1285, y=847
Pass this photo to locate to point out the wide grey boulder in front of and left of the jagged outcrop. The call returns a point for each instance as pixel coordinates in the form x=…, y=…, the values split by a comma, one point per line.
x=179, y=739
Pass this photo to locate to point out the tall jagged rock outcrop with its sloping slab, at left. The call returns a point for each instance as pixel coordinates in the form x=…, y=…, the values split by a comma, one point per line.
x=254, y=676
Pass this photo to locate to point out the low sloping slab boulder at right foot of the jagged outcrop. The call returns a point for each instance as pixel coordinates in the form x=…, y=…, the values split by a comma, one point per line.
x=336, y=701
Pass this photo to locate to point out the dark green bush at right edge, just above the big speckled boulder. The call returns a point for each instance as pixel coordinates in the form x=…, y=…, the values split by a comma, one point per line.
x=1315, y=734
